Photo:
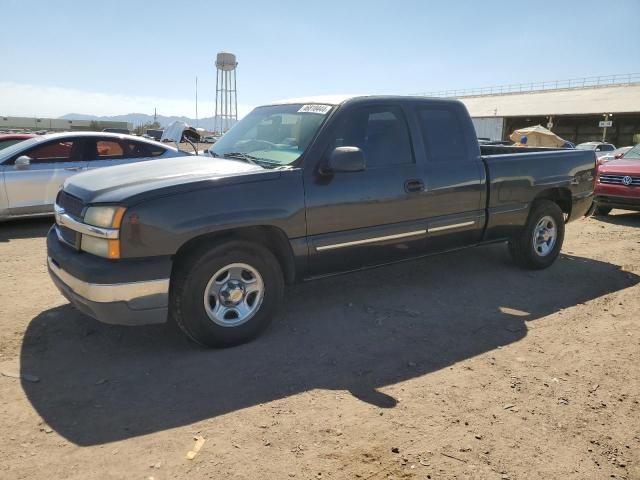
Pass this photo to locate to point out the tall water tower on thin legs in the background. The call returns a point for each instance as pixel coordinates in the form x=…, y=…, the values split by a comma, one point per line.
x=226, y=99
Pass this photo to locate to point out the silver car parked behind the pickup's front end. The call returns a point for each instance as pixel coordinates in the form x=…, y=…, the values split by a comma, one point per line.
x=33, y=171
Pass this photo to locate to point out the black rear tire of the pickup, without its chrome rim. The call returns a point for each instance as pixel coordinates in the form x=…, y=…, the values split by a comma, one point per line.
x=522, y=247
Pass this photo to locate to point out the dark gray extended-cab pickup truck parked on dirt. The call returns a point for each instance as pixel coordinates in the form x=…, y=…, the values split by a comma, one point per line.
x=297, y=190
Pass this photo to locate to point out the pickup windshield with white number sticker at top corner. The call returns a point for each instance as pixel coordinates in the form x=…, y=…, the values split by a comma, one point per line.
x=272, y=136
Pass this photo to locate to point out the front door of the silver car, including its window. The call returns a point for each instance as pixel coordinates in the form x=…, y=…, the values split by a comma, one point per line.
x=32, y=188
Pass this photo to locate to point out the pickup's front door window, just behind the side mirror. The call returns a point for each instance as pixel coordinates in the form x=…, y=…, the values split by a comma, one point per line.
x=380, y=132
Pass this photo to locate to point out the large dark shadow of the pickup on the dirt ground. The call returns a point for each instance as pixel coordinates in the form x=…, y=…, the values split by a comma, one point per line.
x=360, y=332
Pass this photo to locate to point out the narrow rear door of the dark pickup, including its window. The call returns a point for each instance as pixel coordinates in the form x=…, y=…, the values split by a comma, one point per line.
x=454, y=176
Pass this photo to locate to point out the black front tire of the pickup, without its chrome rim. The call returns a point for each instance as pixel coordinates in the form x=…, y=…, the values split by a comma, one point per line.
x=191, y=277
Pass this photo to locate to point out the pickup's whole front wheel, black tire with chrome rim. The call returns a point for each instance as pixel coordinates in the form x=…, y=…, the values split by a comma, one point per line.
x=226, y=294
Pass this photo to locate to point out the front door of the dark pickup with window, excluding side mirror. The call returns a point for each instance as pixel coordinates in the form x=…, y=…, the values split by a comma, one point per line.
x=355, y=219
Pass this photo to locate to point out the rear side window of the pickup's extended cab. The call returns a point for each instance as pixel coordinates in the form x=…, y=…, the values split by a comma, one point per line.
x=442, y=134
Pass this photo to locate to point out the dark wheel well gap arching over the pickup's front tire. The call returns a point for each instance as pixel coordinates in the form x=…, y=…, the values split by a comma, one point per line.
x=268, y=236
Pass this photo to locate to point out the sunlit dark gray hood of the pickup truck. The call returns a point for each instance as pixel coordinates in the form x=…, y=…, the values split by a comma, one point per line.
x=127, y=182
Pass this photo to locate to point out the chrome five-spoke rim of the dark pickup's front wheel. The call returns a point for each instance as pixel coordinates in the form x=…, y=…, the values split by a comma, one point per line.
x=233, y=295
